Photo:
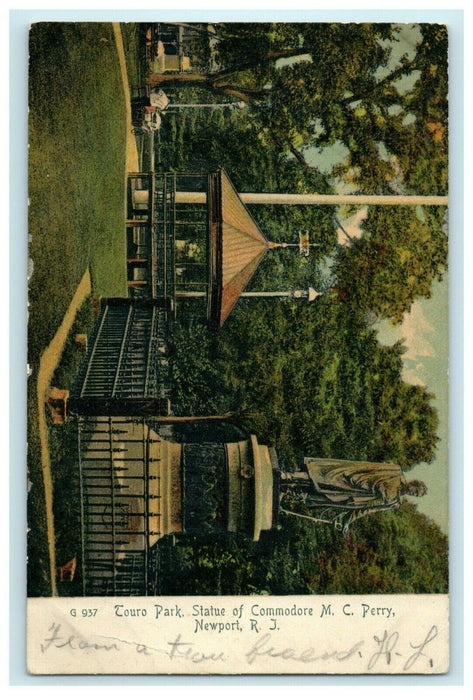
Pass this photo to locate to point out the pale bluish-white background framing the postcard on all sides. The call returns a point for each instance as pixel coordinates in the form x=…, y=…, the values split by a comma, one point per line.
x=19, y=21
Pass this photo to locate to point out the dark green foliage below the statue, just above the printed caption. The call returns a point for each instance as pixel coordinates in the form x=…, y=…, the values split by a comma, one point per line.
x=389, y=552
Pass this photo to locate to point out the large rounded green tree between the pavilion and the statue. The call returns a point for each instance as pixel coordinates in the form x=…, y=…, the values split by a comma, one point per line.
x=311, y=380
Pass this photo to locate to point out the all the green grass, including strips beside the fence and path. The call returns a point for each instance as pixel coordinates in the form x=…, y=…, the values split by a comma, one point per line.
x=77, y=145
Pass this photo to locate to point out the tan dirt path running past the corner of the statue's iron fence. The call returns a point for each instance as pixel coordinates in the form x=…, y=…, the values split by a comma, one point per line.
x=48, y=363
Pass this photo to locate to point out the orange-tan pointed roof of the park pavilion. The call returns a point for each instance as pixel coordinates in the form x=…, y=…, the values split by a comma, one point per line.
x=236, y=246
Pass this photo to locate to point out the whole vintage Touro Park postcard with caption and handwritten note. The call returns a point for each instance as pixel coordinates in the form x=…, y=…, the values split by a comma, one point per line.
x=238, y=348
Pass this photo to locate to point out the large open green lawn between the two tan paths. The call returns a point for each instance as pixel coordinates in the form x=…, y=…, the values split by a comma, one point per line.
x=76, y=170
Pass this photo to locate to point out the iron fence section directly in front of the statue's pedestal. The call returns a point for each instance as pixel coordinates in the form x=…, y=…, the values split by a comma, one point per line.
x=117, y=506
